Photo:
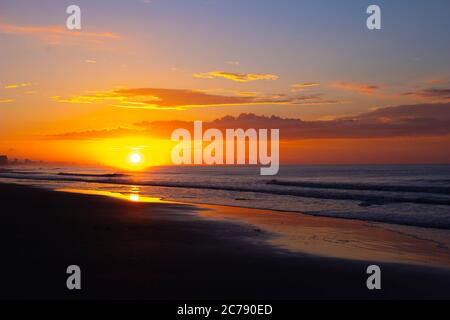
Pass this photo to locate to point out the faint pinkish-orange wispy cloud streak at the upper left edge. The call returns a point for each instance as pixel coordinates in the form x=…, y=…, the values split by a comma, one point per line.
x=57, y=34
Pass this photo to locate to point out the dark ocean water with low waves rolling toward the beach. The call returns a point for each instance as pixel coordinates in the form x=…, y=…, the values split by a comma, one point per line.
x=417, y=195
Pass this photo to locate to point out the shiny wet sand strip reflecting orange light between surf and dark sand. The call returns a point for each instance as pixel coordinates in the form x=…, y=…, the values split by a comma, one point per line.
x=384, y=242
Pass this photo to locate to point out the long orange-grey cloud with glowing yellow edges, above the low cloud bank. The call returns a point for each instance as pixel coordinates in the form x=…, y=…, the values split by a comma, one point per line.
x=179, y=99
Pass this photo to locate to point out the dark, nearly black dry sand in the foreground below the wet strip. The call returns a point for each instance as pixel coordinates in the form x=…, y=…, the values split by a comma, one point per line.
x=130, y=250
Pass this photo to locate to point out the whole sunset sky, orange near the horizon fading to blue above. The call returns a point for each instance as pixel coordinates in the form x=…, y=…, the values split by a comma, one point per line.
x=370, y=95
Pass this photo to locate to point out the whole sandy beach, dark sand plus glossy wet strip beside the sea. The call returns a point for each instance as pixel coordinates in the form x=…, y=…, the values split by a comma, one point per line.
x=168, y=250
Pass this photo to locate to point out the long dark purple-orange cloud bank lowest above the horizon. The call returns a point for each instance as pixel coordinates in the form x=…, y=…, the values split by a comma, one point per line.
x=399, y=121
